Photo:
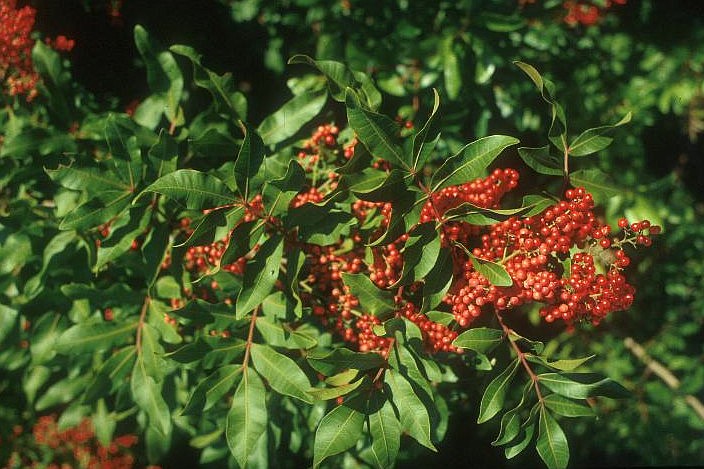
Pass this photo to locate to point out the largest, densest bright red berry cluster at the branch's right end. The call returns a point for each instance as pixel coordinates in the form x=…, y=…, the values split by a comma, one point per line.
x=535, y=250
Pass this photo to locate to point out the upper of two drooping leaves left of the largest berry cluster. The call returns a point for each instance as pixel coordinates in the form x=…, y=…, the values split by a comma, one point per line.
x=420, y=254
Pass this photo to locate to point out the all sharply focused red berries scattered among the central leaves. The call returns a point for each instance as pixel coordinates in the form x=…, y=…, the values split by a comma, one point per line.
x=563, y=258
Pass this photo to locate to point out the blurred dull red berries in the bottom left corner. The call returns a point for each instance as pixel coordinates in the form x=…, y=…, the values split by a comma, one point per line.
x=75, y=447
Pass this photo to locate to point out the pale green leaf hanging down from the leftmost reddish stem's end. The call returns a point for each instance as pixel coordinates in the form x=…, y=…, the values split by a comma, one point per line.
x=146, y=392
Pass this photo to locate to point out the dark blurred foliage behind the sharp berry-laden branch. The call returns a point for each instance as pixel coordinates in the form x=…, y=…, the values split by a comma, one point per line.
x=644, y=57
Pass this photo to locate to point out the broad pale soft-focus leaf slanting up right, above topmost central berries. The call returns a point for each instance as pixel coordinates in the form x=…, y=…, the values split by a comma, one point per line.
x=292, y=116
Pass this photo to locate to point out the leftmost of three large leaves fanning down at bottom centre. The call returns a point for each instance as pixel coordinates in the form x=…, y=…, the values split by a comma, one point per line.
x=337, y=432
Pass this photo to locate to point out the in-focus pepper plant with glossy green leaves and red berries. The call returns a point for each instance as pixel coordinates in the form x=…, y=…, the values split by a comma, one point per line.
x=323, y=283
